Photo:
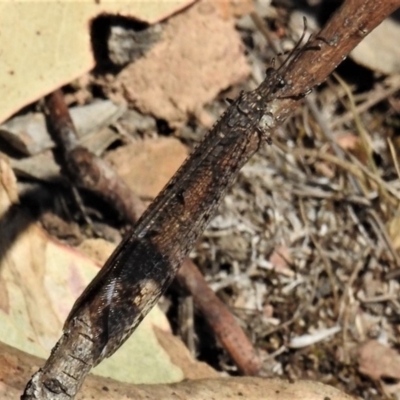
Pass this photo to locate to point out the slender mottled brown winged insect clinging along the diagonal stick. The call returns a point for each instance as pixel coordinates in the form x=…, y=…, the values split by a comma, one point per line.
x=147, y=260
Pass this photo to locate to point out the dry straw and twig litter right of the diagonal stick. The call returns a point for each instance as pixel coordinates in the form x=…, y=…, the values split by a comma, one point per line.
x=330, y=206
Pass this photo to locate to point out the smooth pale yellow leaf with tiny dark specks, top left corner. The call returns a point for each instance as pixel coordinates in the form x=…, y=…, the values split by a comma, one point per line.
x=45, y=45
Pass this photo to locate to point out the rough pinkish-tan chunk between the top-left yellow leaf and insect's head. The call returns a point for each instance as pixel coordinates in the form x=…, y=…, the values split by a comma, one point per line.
x=199, y=55
